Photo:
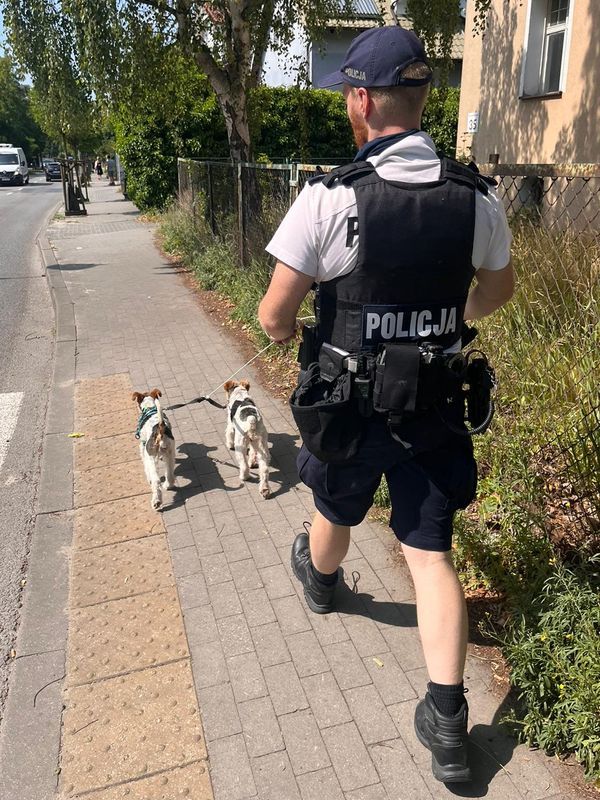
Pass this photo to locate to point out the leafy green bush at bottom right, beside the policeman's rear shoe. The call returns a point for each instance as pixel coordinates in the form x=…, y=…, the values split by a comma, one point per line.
x=554, y=651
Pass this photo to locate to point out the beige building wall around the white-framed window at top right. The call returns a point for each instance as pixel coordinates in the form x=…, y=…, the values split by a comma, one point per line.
x=535, y=130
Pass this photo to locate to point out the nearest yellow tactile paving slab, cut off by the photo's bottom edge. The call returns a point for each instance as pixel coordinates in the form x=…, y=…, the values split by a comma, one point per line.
x=191, y=782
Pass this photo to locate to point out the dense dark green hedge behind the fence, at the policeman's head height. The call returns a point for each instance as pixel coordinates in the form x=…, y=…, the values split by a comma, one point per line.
x=285, y=124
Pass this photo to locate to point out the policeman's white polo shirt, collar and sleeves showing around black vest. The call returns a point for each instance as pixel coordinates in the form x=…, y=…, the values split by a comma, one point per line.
x=312, y=235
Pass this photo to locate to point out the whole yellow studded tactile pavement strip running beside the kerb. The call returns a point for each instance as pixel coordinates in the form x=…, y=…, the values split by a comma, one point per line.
x=131, y=725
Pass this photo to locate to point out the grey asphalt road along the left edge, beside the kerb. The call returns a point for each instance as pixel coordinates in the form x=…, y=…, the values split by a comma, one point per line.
x=26, y=355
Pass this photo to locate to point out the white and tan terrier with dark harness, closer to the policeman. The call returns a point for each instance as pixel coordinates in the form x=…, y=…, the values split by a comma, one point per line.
x=246, y=434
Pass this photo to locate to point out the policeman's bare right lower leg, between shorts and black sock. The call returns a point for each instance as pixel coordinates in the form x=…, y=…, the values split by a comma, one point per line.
x=441, y=613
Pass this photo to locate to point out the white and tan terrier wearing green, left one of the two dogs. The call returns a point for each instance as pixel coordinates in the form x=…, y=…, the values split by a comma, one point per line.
x=156, y=443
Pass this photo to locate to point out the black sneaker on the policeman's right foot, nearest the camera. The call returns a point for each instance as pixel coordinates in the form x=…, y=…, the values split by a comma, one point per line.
x=446, y=737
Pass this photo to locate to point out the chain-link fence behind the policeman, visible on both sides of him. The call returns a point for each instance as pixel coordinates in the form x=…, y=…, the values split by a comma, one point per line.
x=249, y=200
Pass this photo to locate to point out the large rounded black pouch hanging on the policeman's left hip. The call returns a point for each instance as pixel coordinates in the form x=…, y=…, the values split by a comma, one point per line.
x=327, y=416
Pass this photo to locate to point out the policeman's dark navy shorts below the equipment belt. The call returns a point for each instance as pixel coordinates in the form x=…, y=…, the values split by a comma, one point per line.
x=425, y=489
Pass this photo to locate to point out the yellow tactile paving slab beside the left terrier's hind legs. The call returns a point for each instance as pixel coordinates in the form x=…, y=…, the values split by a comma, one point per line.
x=110, y=483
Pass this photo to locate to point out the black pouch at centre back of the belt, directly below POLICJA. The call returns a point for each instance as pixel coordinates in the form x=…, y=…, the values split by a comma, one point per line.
x=396, y=378
